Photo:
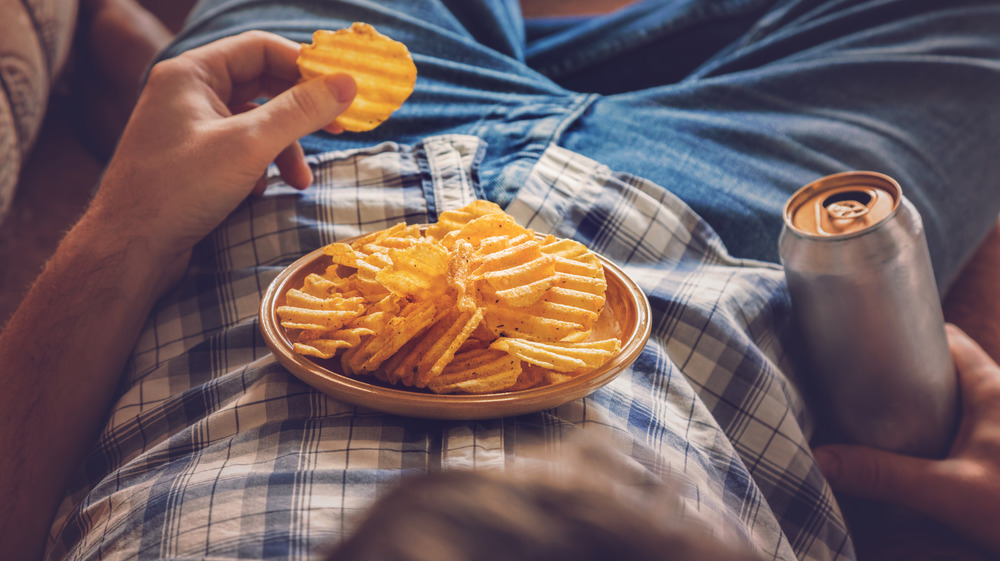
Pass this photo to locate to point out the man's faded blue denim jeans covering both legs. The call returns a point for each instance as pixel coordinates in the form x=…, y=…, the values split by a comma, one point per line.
x=730, y=104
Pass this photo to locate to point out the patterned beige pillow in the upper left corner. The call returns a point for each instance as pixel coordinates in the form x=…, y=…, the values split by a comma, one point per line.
x=34, y=40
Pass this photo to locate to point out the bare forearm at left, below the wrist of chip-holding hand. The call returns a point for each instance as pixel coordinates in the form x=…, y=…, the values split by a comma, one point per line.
x=62, y=354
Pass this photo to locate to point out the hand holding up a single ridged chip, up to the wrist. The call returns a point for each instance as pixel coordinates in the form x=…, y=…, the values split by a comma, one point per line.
x=196, y=146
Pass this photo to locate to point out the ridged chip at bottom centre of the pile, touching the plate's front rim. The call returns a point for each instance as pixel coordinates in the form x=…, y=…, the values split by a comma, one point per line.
x=478, y=372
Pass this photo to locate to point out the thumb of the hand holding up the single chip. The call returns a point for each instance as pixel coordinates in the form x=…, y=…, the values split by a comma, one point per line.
x=301, y=110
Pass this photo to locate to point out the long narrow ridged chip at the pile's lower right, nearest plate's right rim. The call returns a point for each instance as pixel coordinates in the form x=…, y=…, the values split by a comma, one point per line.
x=560, y=357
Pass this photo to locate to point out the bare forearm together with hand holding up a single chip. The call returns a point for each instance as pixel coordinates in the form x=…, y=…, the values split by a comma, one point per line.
x=192, y=151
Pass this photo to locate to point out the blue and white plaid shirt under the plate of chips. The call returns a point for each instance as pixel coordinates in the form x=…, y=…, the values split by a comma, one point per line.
x=213, y=450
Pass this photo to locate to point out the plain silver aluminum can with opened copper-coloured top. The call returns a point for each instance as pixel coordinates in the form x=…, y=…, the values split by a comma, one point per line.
x=863, y=292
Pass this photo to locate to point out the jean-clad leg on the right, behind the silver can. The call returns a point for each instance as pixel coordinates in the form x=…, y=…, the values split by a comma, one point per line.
x=906, y=88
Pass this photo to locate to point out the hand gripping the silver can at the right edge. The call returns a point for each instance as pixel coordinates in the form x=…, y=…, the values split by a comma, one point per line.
x=962, y=490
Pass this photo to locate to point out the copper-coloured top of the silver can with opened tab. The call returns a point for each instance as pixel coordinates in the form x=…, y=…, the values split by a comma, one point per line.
x=842, y=204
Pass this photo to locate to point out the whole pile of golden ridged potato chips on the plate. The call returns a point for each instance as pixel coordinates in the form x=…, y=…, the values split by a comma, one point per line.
x=472, y=304
